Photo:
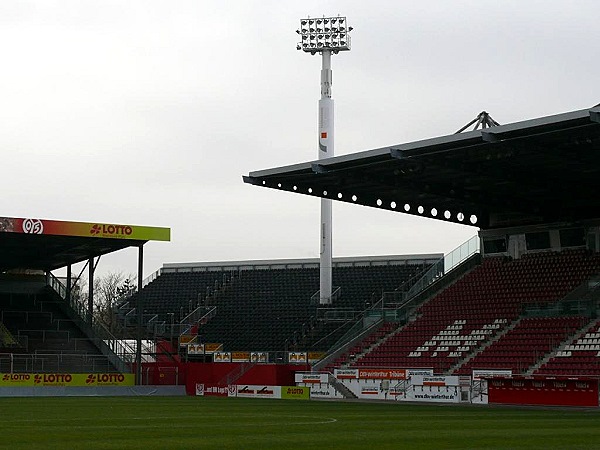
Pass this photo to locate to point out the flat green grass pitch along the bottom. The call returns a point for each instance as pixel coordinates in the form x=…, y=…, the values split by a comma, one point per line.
x=206, y=423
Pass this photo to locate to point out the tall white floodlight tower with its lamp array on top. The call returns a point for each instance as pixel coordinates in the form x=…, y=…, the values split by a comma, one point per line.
x=327, y=36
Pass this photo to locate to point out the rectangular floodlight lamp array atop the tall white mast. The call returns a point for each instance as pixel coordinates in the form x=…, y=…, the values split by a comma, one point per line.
x=324, y=33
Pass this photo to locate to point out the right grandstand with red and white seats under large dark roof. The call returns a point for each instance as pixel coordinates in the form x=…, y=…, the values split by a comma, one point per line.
x=526, y=302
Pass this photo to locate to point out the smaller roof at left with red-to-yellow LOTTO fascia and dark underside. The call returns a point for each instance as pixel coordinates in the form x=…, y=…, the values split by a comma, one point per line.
x=50, y=244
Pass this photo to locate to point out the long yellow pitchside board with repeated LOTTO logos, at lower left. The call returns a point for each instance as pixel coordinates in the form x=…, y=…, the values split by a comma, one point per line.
x=66, y=379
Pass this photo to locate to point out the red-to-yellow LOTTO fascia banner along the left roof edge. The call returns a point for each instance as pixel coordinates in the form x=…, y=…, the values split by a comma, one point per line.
x=84, y=229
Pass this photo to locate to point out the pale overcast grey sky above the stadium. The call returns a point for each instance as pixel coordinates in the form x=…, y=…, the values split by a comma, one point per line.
x=149, y=112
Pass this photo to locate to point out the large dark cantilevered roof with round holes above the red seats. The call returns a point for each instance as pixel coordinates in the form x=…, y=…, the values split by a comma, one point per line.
x=537, y=171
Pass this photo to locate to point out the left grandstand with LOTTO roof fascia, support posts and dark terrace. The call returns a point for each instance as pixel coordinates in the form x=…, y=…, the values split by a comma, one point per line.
x=46, y=325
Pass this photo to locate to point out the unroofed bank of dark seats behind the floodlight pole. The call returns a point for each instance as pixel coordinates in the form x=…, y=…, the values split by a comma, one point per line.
x=270, y=305
